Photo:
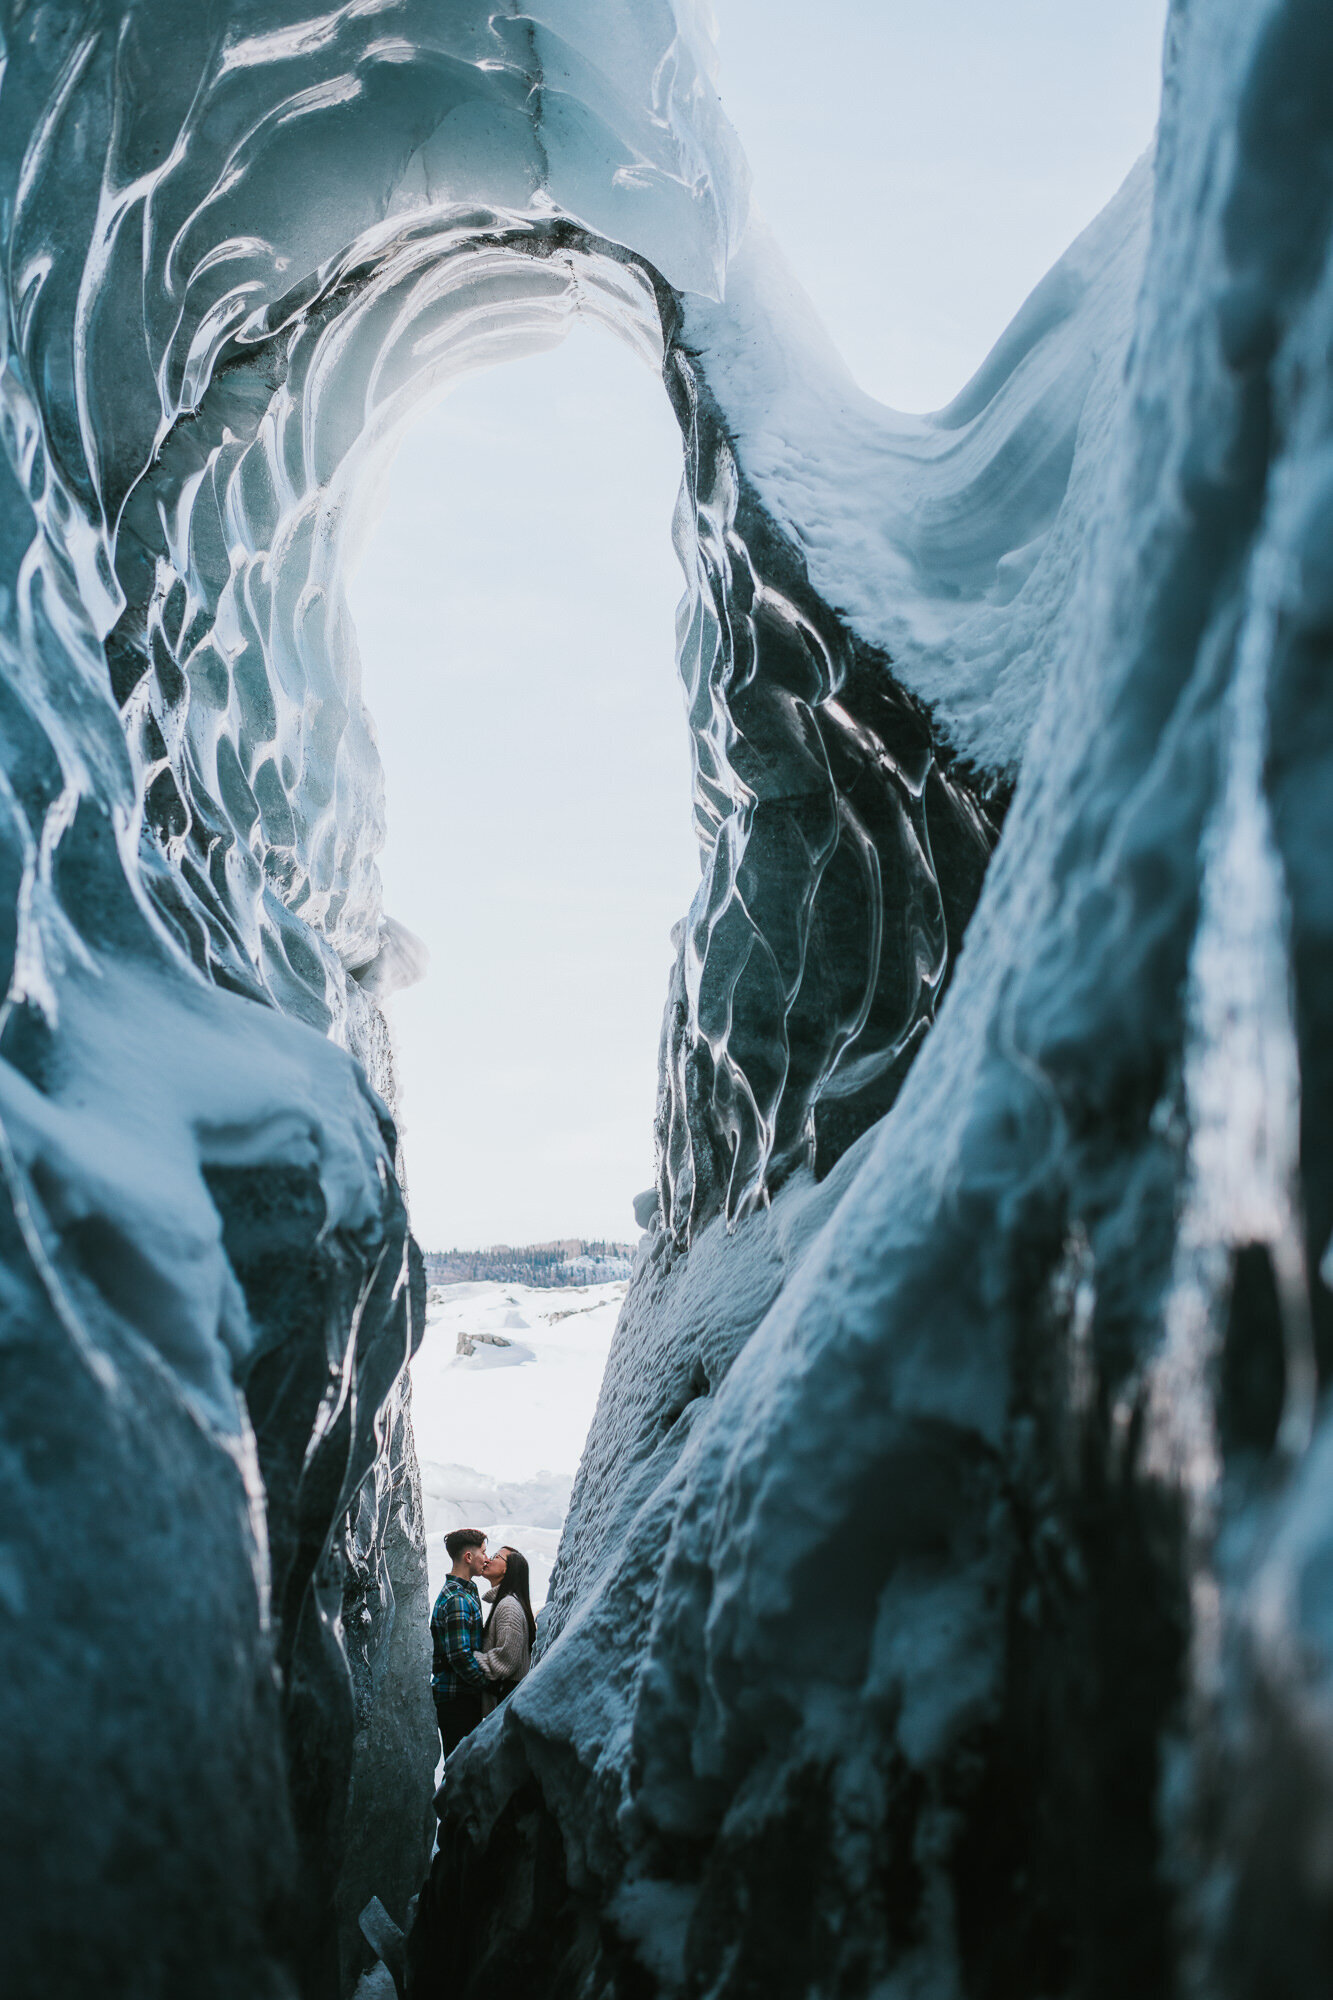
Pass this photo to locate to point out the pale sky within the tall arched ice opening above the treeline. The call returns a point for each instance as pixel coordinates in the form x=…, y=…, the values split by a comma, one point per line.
x=515, y=617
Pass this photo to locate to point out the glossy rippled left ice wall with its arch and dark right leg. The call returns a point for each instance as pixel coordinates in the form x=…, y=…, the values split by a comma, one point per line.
x=239, y=247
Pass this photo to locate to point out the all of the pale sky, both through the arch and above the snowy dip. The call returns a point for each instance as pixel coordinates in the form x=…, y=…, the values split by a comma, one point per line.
x=515, y=607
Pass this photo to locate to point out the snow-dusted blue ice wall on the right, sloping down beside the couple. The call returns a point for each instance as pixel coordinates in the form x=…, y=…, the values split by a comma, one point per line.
x=946, y=1599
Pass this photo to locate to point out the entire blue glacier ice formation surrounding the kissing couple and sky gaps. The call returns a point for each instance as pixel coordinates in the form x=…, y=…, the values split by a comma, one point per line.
x=996, y=1189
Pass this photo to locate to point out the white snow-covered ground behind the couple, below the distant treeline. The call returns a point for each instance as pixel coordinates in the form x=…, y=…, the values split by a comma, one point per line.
x=499, y=1431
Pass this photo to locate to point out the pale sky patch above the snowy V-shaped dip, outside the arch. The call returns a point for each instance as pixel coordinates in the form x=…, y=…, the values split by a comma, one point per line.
x=924, y=165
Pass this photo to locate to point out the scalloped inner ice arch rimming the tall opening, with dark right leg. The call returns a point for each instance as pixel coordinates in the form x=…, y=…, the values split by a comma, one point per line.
x=822, y=793
